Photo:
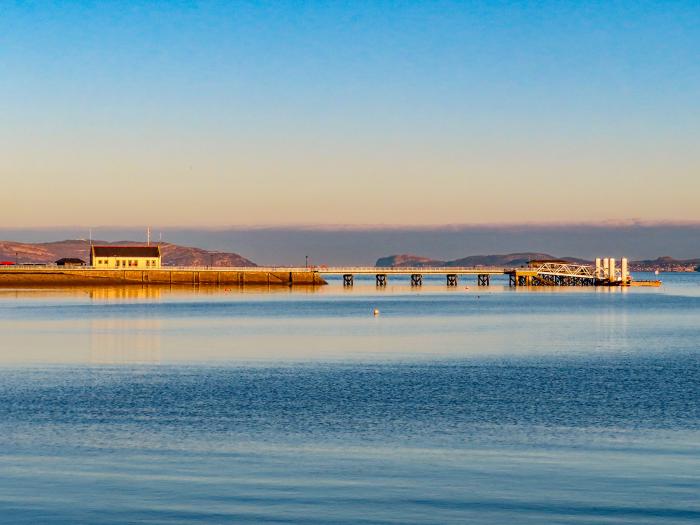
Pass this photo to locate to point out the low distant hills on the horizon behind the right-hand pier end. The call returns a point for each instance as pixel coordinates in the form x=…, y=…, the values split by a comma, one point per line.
x=667, y=264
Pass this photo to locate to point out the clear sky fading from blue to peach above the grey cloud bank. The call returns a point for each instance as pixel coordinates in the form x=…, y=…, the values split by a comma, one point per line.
x=389, y=113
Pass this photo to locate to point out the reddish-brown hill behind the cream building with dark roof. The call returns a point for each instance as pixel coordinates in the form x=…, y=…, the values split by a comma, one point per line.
x=173, y=254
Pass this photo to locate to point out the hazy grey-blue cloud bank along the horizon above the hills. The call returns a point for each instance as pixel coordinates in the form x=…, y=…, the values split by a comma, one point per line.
x=362, y=246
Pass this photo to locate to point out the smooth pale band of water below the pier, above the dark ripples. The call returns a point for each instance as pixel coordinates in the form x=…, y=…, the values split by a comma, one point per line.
x=163, y=324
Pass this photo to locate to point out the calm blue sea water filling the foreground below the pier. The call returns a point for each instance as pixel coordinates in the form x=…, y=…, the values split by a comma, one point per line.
x=451, y=406
